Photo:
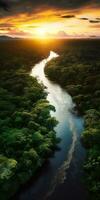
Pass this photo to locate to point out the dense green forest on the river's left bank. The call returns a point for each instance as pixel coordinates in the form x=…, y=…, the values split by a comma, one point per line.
x=27, y=136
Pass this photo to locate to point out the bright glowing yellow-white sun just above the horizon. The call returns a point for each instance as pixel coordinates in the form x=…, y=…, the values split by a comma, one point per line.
x=41, y=33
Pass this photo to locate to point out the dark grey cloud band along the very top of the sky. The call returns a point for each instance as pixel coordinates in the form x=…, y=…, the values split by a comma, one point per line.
x=28, y=5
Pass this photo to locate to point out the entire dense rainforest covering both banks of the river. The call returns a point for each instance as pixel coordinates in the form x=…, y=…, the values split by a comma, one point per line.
x=27, y=135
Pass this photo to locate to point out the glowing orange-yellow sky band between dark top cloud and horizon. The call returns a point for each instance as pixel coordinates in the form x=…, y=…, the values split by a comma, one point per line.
x=53, y=22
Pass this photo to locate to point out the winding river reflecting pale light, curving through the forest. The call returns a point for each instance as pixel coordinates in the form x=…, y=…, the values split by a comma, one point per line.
x=60, y=178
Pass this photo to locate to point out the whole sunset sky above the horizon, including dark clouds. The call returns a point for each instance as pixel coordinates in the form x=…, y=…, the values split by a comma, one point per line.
x=50, y=18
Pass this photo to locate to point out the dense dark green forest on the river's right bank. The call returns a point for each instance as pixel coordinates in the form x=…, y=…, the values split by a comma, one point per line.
x=77, y=70
